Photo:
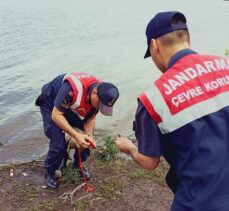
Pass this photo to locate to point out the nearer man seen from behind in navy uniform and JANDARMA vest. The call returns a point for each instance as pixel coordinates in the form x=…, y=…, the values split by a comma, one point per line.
x=184, y=116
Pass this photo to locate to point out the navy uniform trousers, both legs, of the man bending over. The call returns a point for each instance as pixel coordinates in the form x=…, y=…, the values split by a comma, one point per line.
x=57, y=145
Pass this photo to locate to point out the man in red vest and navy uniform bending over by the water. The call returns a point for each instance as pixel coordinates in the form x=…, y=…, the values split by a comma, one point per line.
x=72, y=100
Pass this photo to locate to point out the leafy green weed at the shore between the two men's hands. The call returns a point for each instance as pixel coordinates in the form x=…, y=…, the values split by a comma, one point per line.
x=108, y=151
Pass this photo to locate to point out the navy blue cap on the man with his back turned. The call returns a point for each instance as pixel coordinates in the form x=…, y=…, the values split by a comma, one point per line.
x=161, y=24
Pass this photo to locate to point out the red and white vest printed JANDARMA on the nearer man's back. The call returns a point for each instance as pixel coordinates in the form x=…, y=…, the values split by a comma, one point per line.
x=208, y=92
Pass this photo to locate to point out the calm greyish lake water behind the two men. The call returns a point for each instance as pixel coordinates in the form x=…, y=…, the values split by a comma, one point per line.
x=41, y=39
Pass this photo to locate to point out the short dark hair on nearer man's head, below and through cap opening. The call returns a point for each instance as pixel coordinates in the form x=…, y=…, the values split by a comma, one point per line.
x=175, y=37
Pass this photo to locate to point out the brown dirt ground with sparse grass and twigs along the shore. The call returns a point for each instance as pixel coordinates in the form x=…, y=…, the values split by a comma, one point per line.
x=120, y=185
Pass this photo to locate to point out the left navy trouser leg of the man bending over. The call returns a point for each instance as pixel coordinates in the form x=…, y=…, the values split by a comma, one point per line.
x=57, y=145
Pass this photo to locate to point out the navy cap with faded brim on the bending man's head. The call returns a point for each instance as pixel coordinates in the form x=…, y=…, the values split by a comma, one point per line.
x=108, y=94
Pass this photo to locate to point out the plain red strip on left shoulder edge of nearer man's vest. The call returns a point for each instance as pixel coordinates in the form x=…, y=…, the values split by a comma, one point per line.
x=149, y=107
